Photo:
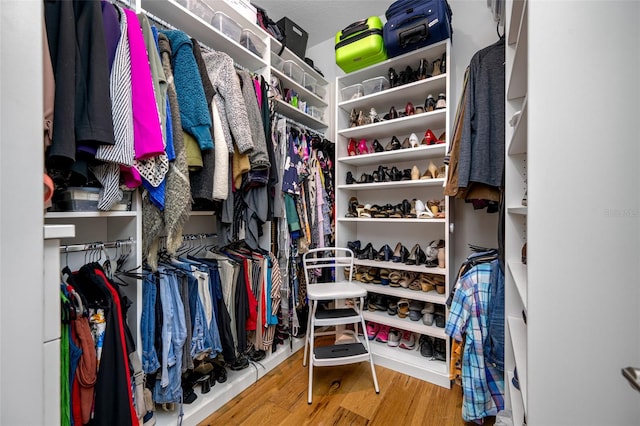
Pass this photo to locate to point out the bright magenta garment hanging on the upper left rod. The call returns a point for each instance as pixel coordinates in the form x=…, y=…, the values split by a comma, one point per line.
x=147, y=133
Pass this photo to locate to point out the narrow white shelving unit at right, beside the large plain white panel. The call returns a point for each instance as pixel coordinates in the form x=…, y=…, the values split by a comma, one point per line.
x=516, y=279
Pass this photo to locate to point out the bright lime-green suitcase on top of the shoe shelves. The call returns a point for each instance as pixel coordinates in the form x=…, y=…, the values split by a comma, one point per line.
x=360, y=45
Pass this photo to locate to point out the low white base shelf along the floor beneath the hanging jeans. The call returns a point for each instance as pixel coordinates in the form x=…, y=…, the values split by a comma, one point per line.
x=222, y=393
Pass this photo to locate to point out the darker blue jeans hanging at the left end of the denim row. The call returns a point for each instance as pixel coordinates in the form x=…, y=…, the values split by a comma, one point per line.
x=150, y=361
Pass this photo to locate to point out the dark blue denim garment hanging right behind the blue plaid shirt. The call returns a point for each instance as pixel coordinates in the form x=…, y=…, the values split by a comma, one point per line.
x=494, y=344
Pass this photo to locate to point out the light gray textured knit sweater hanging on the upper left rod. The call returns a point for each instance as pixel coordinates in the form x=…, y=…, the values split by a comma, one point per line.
x=229, y=100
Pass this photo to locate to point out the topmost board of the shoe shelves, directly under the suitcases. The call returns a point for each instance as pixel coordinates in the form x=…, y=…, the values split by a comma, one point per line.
x=399, y=63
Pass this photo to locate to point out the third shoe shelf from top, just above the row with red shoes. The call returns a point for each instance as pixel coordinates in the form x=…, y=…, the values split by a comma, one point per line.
x=402, y=126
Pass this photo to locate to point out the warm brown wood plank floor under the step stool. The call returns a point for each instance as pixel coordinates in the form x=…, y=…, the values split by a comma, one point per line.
x=342, y=395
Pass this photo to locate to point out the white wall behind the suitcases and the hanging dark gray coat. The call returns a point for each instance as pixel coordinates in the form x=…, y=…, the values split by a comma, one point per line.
x=473, y=29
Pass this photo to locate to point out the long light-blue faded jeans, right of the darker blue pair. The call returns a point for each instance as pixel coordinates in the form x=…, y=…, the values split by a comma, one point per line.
x=174, y=334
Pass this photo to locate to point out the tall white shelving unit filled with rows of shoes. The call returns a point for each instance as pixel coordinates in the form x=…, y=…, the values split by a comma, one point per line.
x=380, y=231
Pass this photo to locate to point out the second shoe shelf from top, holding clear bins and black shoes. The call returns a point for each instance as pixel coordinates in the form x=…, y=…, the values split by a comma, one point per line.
x=415, y=92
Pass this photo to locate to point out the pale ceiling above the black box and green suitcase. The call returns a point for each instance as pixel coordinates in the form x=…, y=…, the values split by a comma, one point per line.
x=322, y=19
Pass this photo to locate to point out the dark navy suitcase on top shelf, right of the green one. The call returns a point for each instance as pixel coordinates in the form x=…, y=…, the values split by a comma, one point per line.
x=412, y=24
